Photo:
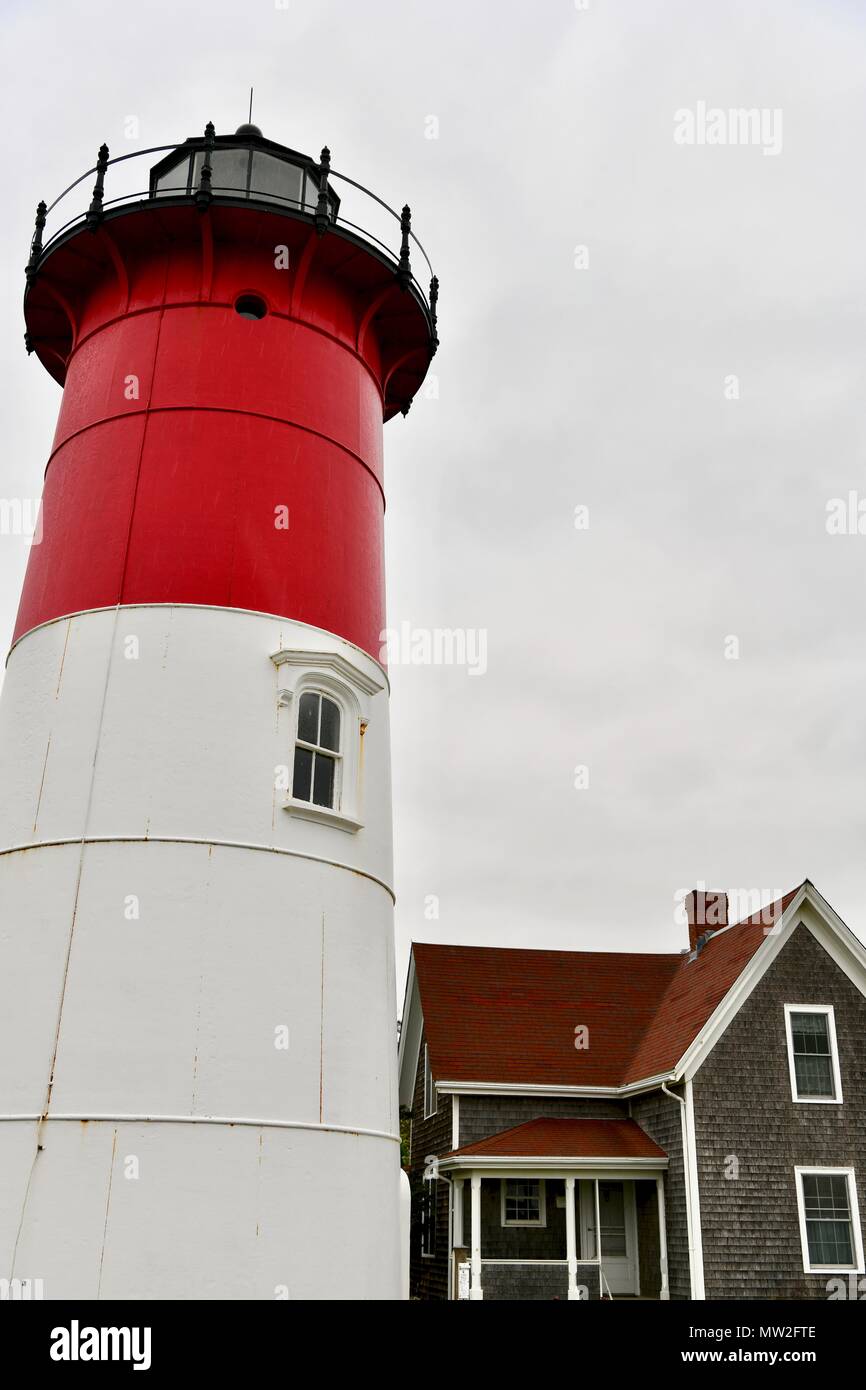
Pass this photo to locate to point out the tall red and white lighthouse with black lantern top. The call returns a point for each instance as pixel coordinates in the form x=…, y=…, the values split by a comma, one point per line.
x=198, y=1052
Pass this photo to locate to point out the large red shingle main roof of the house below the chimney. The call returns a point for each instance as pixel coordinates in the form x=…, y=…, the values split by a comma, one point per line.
x=511, y=1017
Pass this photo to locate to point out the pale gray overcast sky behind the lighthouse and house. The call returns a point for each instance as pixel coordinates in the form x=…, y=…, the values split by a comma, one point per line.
x=667, y=334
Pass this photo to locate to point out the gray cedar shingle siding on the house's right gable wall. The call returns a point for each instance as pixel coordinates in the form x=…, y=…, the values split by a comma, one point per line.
x=744, y=1110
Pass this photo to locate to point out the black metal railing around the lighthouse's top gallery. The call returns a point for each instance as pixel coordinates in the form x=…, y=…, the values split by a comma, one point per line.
x=318, y=204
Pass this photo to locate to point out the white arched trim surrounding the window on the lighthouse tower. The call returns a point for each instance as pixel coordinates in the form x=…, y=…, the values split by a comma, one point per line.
x=351, y=689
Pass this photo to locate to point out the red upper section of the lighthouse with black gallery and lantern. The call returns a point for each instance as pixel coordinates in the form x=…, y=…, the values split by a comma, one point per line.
x=227, y=362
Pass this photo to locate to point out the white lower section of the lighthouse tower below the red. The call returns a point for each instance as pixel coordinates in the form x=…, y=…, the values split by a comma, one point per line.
x=198, y=1090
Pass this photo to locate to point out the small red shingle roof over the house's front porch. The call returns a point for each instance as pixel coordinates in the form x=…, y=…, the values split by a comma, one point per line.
x=568, y=1139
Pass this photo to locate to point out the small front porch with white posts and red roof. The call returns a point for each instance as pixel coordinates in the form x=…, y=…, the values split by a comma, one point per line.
x=582, y=1221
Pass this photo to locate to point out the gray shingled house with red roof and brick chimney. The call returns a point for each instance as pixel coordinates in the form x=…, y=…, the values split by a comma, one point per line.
x=594, y=1125
